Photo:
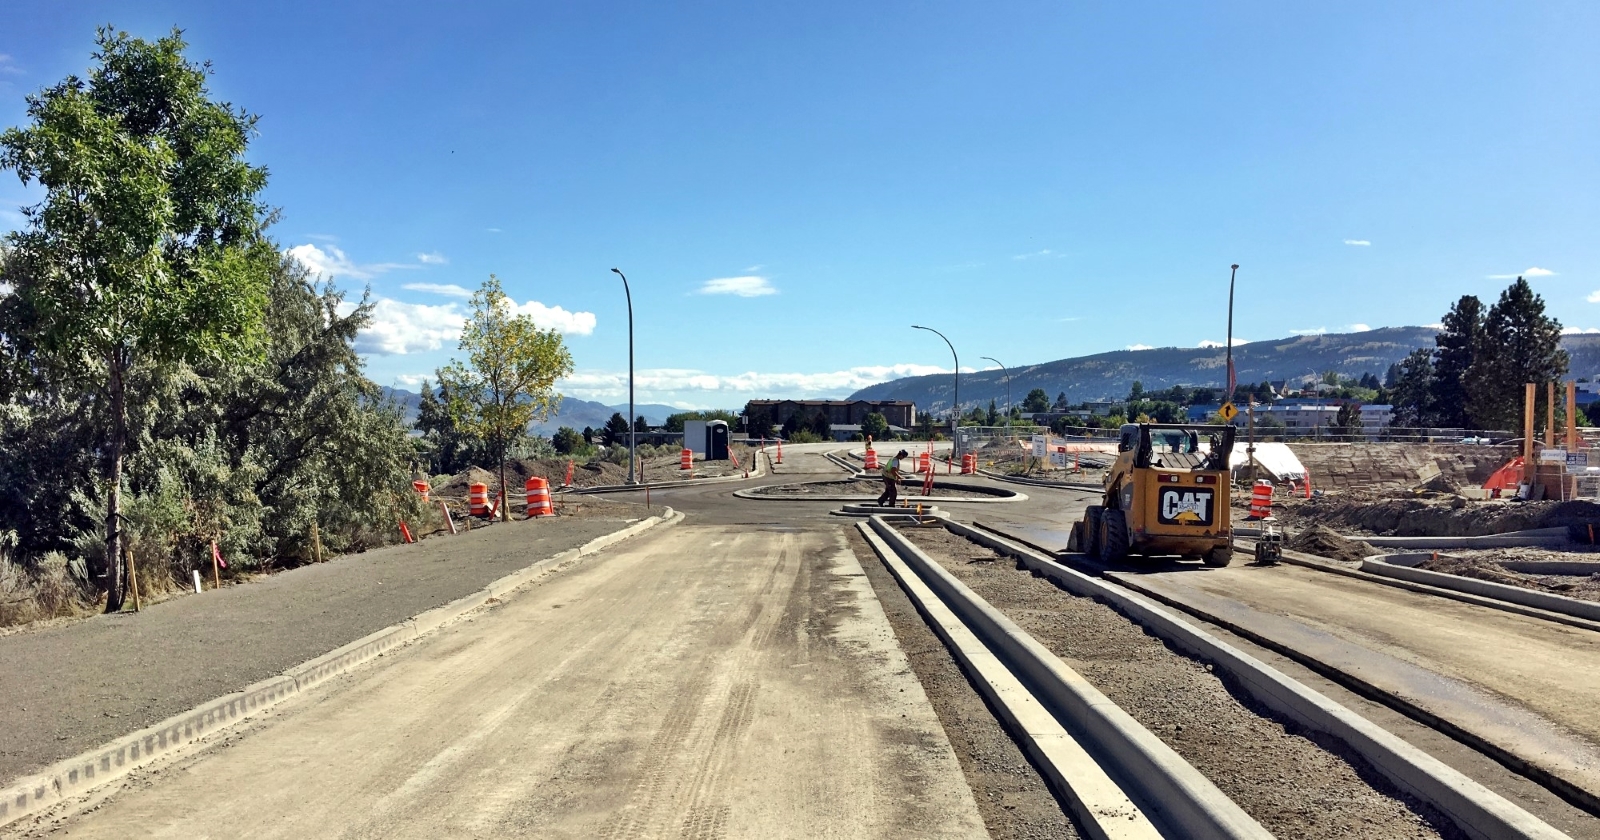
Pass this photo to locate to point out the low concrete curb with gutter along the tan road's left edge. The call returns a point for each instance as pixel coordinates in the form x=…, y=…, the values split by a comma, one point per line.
x=110, y=762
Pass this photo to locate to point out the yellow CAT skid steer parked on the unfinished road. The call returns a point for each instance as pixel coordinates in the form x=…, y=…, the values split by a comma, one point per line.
x=1166, y=495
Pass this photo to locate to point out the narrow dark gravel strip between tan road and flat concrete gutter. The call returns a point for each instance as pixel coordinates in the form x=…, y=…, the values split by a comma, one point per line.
x=1014, y=799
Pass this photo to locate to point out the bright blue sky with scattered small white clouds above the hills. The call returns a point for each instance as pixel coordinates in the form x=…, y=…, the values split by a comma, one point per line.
x=791, y=186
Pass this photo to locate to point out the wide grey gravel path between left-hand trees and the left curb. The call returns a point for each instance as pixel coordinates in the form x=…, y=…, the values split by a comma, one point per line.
x=74, y=687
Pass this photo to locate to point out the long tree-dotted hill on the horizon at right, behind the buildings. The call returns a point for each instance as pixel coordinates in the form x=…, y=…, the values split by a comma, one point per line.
x=1108, y=377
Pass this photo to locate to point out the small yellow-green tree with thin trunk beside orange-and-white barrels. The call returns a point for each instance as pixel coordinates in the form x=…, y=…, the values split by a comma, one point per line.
x=510, y=377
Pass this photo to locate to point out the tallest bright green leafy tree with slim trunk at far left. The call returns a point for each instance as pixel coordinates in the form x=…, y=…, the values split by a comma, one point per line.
x=148, y=246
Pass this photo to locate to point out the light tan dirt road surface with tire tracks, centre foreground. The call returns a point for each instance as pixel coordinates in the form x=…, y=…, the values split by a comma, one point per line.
x=698, y=682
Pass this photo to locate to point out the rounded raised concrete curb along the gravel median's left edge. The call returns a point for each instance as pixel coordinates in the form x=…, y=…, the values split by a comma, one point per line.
x=1170, y=790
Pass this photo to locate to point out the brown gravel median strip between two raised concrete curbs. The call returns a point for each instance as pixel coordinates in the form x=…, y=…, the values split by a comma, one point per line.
x=1295, y=785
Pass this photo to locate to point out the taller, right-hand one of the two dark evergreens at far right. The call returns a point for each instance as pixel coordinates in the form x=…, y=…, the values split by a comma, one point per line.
x=1519, y=345
